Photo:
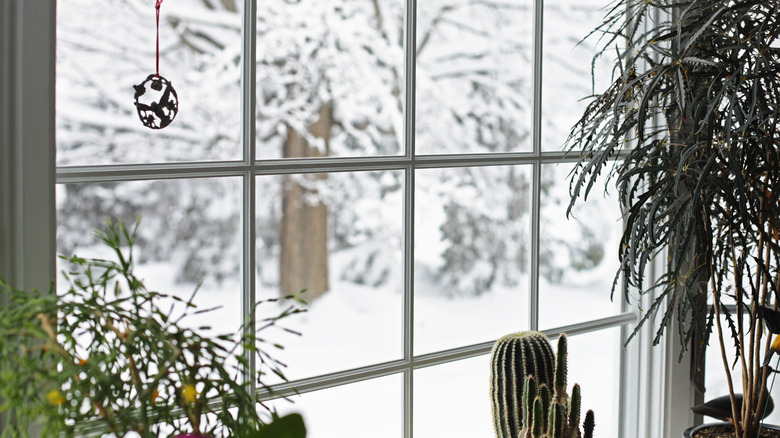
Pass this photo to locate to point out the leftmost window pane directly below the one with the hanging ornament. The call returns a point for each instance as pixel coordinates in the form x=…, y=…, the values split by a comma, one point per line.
x=188, y=232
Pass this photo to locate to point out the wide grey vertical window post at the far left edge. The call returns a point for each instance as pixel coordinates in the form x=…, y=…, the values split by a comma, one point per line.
x=27, y=63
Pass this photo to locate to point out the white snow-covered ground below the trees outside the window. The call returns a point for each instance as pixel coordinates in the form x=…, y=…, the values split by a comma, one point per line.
x=356, y=325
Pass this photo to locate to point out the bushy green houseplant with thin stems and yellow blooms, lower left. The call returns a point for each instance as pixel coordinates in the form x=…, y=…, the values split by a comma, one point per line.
x=104, y=356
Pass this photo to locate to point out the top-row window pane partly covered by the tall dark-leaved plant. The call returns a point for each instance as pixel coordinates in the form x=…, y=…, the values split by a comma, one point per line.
x=567, y=65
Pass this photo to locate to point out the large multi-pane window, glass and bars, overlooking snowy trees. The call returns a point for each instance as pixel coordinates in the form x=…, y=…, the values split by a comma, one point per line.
x=400, y=160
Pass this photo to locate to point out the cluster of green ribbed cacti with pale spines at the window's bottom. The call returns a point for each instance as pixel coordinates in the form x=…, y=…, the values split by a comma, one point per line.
x=541, y=412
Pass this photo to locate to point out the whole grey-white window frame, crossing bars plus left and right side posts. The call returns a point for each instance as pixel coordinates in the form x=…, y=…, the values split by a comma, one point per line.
x=656, y=391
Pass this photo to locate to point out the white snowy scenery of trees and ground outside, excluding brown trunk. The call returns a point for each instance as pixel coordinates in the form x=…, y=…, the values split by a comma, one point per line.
x=472, y=225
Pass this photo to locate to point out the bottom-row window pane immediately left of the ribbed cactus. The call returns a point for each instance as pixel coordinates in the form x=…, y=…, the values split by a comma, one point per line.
x=452, y=400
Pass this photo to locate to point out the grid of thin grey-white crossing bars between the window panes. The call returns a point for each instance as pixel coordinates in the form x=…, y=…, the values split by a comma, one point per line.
x=248, y=169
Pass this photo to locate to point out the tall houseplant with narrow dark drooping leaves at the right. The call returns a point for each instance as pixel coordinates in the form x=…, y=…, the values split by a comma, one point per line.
x=688, y=131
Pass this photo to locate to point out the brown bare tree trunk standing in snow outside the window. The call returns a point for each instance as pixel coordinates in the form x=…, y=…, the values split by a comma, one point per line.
x=304, y=227
